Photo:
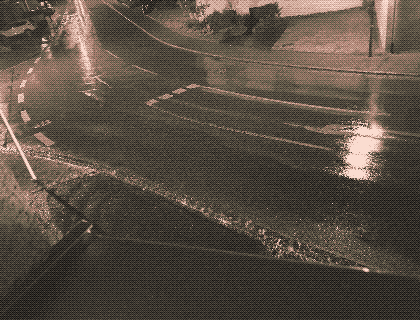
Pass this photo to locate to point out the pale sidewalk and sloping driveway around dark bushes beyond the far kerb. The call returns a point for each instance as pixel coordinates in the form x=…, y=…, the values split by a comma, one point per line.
x=337, y=41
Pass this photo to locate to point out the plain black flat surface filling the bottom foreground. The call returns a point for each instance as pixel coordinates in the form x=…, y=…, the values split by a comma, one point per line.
x=124, y=279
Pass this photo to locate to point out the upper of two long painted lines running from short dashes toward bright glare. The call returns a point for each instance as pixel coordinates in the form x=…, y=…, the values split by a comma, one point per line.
x=288, y=103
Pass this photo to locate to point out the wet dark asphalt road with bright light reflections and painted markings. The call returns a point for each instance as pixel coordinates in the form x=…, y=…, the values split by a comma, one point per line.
x=337, y=168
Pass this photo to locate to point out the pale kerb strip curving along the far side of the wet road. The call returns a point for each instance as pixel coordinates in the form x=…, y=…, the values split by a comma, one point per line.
x=355, y=64
